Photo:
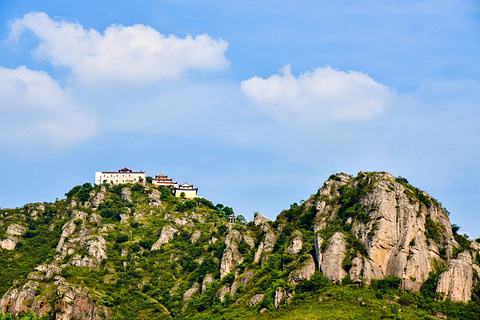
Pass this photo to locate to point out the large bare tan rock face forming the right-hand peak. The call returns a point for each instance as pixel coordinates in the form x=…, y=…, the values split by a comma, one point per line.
x=403, y=230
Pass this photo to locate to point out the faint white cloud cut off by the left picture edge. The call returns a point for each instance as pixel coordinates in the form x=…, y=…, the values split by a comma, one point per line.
x=37, y=112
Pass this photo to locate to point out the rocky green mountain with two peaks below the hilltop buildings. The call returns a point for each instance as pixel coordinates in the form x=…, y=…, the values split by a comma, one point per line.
x=368, y=246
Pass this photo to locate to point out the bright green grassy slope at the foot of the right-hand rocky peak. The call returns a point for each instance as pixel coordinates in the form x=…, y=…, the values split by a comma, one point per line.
x=352, y=302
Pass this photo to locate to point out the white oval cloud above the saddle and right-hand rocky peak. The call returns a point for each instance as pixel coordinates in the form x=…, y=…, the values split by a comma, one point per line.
x=324, y=93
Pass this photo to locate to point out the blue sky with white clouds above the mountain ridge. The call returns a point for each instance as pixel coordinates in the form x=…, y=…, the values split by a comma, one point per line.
x=255, y=102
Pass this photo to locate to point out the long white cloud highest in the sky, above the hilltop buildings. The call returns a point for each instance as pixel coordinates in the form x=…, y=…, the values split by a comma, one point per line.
x=136, y=53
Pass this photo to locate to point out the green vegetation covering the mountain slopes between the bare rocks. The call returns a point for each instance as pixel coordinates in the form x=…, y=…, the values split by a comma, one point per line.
x=138, y=283
